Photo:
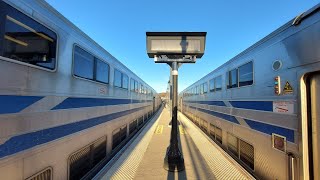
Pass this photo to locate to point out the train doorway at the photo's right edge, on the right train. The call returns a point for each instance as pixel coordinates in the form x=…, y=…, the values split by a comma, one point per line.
x=313, y=116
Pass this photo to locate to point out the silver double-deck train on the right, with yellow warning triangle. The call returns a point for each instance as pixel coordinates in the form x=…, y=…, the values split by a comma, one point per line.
x=262, y=105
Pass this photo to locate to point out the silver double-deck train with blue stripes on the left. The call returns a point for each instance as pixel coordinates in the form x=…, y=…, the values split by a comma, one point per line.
x=66, y=104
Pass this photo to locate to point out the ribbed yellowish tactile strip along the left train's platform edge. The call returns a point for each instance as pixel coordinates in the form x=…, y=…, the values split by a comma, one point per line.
x=127, y=165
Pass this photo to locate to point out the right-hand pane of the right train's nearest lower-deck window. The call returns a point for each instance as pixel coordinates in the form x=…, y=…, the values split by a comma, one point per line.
x=247, y=154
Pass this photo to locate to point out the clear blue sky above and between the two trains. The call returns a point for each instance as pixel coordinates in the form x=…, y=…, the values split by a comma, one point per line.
x=231, y=25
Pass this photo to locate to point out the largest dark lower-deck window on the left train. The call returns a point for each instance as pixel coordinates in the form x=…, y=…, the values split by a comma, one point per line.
x=82, y=161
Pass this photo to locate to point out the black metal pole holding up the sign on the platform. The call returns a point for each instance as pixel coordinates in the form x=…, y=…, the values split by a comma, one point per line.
x=174, y=160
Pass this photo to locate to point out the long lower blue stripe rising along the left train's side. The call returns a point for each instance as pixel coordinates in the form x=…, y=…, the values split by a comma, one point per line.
x=26, y=141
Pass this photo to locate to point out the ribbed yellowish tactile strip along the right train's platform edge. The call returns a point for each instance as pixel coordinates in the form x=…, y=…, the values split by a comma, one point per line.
x=220, y=164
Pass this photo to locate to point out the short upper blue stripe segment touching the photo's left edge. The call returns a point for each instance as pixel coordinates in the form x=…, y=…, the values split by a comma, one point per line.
x=14, y=104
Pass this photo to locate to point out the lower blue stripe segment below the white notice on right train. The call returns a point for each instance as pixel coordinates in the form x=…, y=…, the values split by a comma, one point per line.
x=269, y=129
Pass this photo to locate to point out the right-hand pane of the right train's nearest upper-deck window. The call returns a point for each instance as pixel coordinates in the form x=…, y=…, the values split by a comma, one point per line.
x=246, y=74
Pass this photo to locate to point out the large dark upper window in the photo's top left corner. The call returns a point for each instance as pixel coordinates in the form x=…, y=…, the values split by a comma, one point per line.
x=25, y=40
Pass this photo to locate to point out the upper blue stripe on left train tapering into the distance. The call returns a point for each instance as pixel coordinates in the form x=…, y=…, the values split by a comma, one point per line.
x=92, y=102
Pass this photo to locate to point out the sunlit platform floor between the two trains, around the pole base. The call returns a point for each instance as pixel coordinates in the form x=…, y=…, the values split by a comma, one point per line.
x=144, y=158
